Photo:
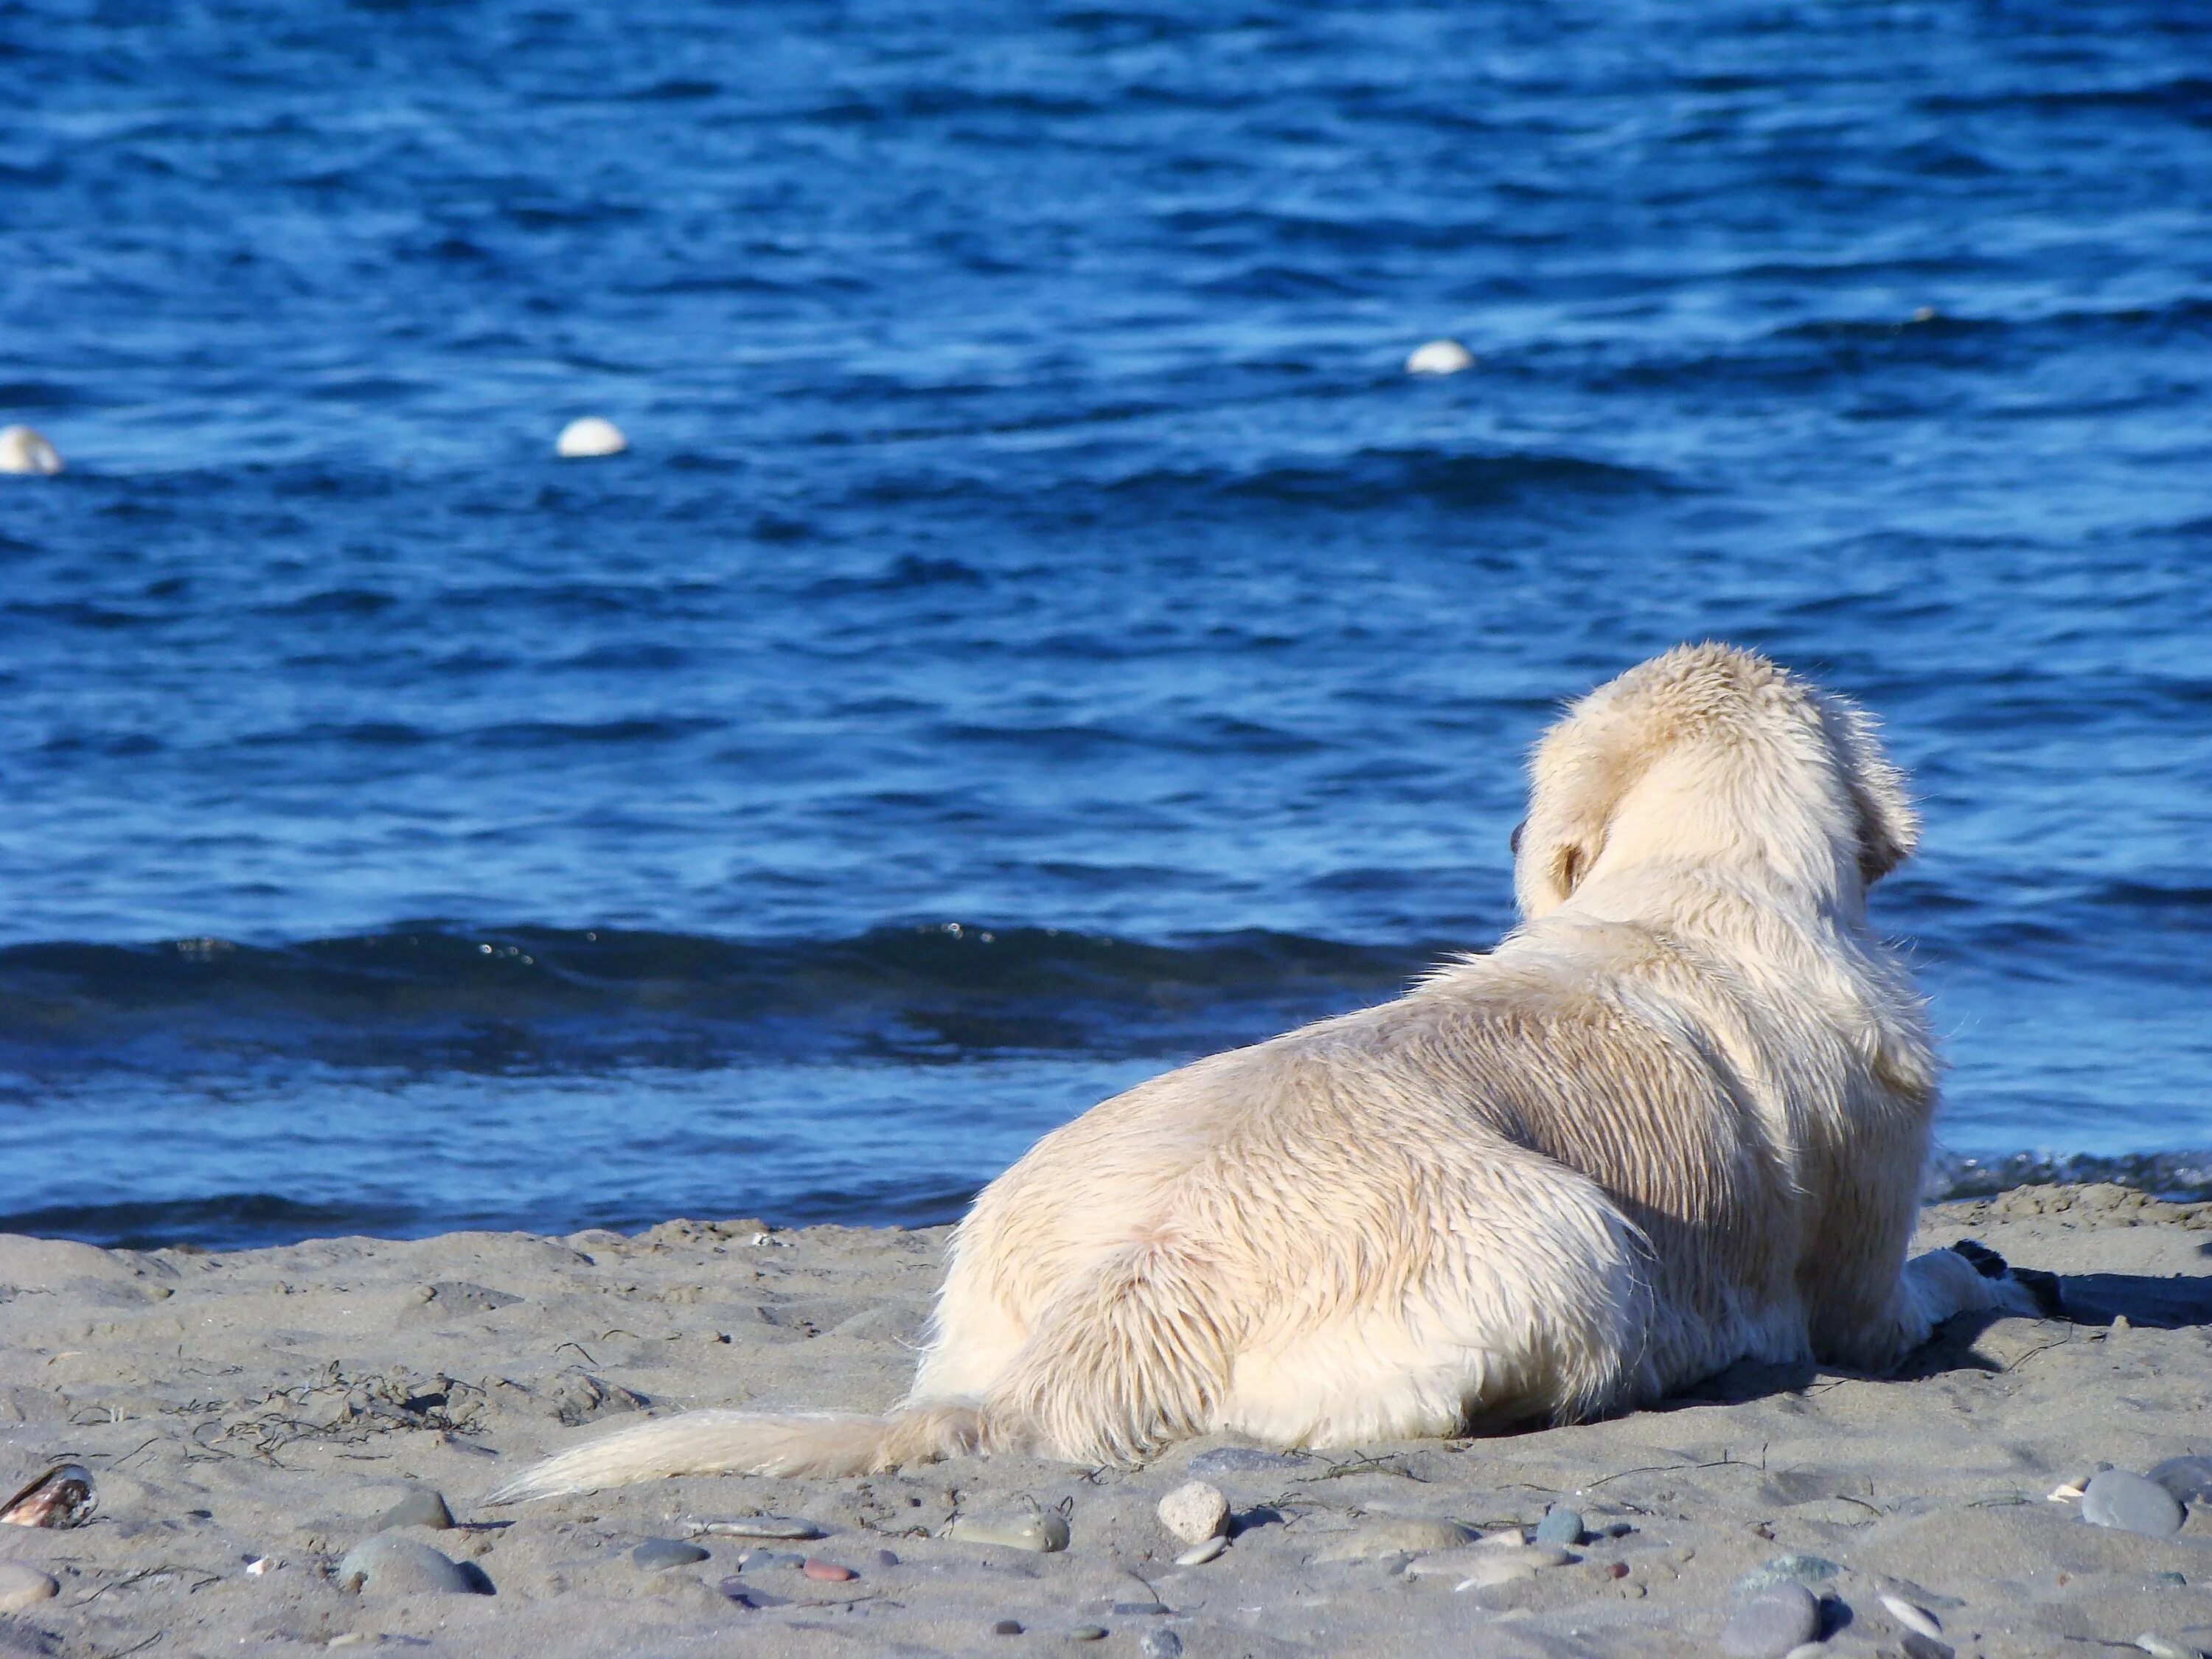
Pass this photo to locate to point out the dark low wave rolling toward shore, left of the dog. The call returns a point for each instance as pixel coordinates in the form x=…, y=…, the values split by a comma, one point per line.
x=534, y=999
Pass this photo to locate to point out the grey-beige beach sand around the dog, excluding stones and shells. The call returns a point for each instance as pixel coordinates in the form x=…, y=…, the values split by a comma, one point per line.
x=269, y=1406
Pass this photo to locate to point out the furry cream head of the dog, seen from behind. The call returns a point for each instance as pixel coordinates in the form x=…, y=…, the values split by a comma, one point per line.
x=1713, y=755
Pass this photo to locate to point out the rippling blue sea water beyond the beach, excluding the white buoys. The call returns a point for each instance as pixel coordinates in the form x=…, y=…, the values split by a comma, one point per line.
x=1039, y=634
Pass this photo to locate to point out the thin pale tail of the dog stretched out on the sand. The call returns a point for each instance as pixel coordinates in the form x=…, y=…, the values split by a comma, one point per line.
x=744, y=1443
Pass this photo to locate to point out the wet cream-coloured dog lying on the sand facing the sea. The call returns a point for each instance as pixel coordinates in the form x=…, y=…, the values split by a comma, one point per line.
x=1676, y=1120
